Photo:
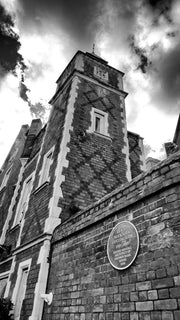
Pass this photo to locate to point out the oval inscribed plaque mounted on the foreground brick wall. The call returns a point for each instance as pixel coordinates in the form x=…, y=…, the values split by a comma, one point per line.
x=123, y=245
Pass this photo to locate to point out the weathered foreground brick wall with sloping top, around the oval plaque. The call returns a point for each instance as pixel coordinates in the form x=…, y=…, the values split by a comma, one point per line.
x=86, y=286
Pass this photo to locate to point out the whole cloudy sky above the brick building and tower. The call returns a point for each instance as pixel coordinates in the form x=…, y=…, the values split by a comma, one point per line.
x=139, y=37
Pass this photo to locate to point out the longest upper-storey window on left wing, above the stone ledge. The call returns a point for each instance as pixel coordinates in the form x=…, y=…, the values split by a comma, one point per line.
x=23, y=202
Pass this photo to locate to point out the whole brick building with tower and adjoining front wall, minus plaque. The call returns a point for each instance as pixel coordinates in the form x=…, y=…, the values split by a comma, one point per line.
x=62, y=189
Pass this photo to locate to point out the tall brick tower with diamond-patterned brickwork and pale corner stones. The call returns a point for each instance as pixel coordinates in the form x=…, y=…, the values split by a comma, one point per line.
x=89, y=118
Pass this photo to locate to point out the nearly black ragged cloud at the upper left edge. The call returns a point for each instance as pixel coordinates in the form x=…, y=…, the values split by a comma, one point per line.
x=10, y=45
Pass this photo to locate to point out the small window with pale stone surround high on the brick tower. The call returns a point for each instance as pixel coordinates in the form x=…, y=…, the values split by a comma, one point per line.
x=99, y=123
